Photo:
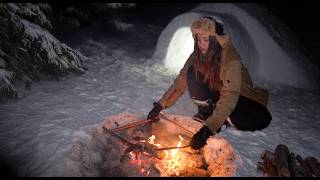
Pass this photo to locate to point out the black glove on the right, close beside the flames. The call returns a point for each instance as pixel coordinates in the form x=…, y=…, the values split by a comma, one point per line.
x=200, y=138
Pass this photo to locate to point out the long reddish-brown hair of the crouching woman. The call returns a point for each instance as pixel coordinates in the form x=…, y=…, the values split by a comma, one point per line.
x=211, y=65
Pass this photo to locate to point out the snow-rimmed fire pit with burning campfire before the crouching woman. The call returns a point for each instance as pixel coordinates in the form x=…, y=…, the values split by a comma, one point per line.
x=157, y=149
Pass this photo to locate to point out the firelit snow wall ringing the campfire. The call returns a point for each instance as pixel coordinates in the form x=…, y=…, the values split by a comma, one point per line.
x=94, y=152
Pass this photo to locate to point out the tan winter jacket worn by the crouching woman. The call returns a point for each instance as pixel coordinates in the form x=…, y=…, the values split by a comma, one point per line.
x=234, y=80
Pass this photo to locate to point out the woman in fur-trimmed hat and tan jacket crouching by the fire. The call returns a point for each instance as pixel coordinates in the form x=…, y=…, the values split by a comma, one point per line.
x=219, y=84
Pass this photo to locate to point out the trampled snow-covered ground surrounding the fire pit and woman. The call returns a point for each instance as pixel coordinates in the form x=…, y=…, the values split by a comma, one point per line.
x=37, y=129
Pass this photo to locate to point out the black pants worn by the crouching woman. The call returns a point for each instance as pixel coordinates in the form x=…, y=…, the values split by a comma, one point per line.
x=248, y=114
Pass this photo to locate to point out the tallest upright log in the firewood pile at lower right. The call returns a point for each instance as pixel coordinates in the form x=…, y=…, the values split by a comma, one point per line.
x=281, y=160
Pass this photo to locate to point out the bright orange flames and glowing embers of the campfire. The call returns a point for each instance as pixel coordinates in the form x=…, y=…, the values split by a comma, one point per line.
x=171, y=161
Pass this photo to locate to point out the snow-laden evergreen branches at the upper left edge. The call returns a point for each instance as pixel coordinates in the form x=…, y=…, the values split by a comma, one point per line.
x=28, y=51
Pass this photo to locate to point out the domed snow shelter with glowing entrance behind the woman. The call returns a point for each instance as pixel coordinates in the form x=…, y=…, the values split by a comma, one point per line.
x=258, y=46
